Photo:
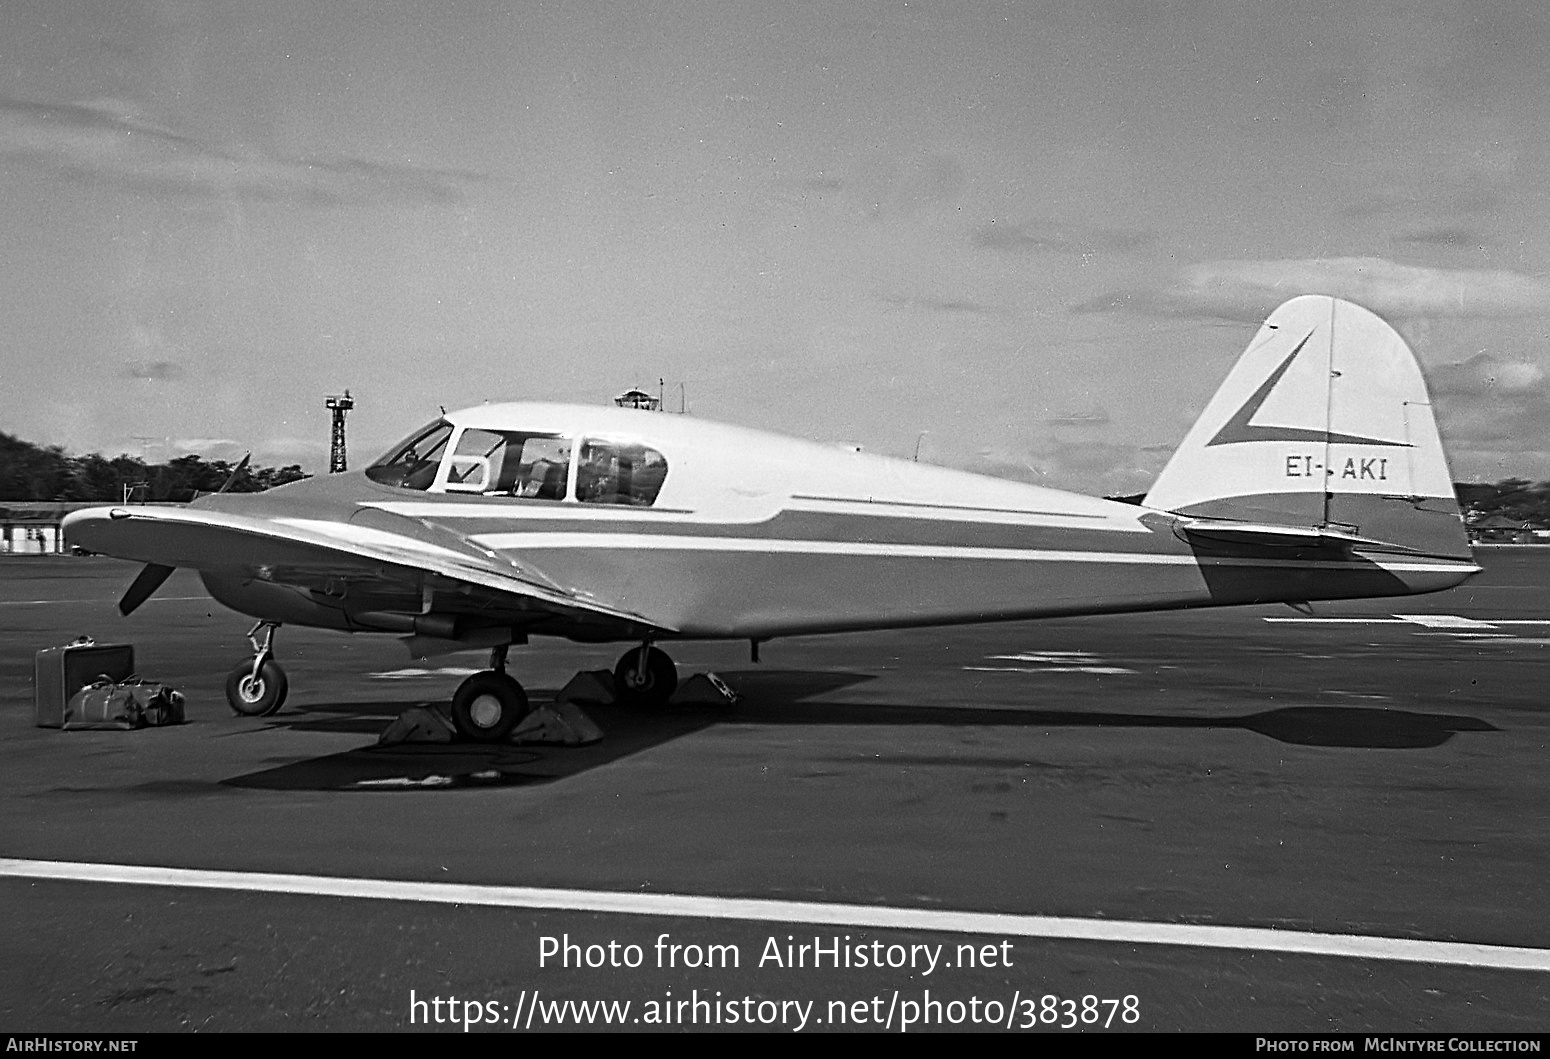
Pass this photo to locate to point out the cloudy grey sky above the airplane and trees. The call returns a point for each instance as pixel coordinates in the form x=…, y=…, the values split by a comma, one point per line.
x=1019, y=238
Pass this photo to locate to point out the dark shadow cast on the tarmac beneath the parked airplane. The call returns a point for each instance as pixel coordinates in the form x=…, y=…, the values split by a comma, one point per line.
x=776, y=699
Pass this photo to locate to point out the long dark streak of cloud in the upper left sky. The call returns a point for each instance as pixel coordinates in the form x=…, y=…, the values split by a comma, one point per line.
x=108, y=143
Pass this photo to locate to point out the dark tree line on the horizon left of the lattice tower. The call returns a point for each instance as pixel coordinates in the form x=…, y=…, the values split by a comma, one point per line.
x=47, y=474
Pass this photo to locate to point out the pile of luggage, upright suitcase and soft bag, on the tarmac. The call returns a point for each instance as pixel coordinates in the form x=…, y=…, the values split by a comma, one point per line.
x=94, y=686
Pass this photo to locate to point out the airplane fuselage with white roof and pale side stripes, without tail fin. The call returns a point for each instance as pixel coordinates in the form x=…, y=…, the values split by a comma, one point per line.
x=756, y=536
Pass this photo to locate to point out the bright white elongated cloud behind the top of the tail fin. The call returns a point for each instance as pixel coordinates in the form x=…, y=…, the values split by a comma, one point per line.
x=1249, y=291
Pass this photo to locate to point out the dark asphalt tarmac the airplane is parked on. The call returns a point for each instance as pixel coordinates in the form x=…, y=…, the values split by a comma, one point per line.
x=1266, y=785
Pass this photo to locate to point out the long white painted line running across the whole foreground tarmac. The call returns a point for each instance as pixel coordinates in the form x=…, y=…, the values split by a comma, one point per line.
x=808, y=912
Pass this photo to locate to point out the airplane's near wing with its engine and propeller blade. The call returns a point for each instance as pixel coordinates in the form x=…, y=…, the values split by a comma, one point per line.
x=325, y=556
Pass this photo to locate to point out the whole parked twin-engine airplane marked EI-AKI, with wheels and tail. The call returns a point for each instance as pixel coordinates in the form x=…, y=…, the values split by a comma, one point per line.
x=1315, y=474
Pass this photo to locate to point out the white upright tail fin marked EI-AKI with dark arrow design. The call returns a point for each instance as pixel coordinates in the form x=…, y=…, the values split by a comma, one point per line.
x=1324, y=424
